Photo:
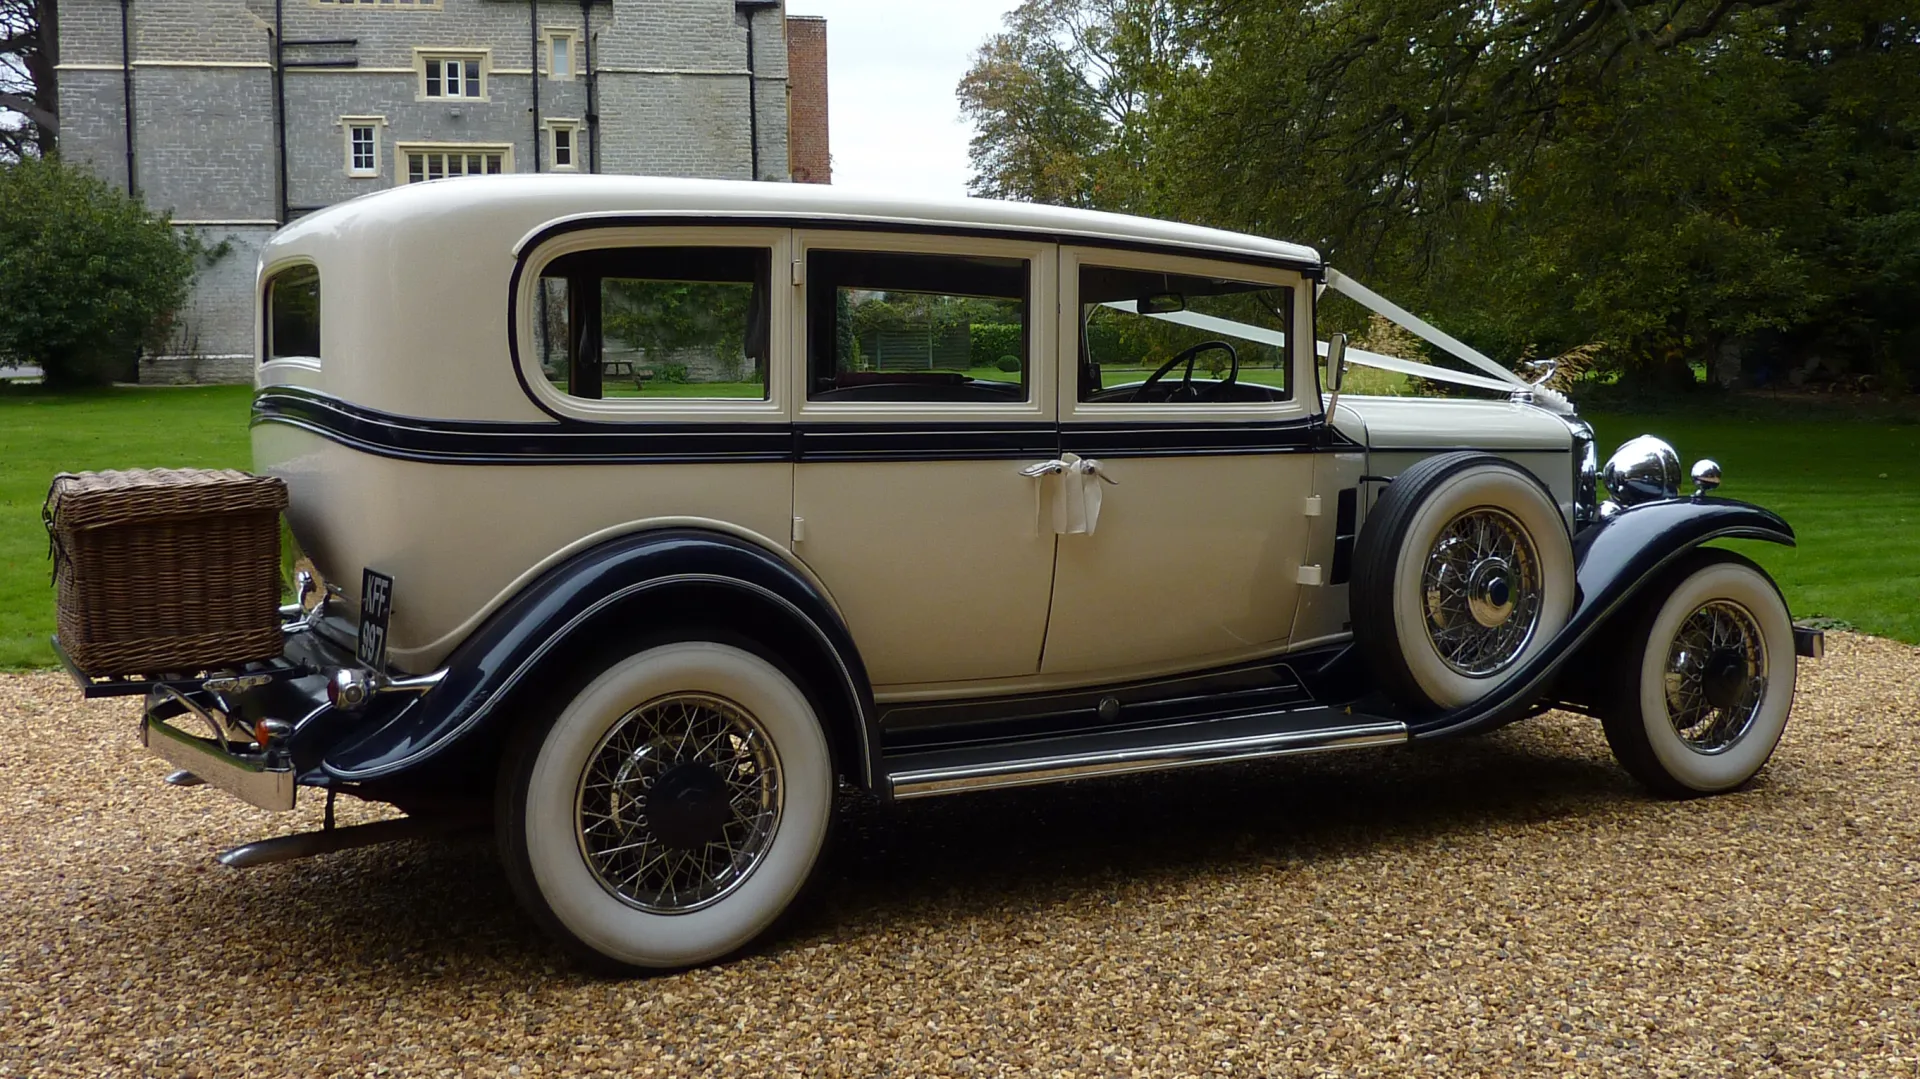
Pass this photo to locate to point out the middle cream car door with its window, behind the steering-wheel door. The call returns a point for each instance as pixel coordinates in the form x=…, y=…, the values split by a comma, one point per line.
x=926, y=391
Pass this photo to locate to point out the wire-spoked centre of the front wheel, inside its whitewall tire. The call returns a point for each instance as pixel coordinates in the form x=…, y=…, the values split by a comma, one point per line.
x=1716, y=677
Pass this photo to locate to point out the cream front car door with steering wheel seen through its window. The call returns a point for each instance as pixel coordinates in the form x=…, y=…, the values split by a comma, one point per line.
x=1191, y=542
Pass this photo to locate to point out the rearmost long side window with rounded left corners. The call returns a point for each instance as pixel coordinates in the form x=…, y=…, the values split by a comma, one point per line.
x=656, y=324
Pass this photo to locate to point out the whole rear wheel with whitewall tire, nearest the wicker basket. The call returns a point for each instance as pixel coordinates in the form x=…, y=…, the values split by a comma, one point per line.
x=671, y=811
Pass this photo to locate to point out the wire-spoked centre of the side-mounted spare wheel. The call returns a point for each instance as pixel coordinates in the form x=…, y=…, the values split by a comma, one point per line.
x=1483, y=592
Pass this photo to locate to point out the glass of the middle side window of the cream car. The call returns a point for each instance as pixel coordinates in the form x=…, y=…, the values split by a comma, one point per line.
x=901, y=327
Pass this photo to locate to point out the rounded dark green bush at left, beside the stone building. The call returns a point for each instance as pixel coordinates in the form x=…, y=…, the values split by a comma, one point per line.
x=87, y=274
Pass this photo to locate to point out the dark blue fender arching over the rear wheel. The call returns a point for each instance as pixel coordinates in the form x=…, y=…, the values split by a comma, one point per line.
x=625, y=583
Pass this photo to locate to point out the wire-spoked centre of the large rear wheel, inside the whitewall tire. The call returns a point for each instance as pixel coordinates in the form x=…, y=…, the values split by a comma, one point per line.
x=679, y=803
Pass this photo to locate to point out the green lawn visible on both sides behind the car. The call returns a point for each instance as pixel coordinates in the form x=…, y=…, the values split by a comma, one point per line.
x=1850, y=487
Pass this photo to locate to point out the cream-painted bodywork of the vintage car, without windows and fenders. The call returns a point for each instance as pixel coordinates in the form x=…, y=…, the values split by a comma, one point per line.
x=832, y=519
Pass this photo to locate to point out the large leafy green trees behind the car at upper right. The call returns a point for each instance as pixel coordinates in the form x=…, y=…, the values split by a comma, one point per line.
x=1689, y=181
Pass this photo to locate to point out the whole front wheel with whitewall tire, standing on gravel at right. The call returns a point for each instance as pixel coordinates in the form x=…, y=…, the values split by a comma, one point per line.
x=1706, y=679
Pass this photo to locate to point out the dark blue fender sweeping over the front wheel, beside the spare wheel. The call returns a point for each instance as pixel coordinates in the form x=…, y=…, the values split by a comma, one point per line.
x=1614, y=560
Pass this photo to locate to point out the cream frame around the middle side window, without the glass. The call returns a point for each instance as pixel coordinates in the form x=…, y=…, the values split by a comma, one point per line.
x=1044, y=264
